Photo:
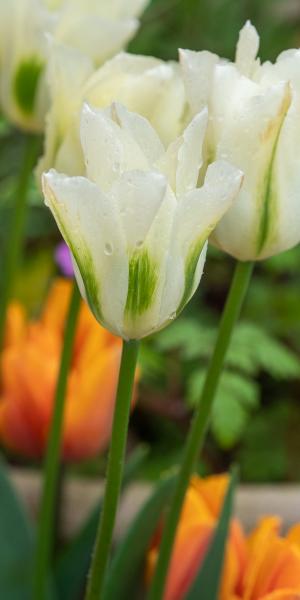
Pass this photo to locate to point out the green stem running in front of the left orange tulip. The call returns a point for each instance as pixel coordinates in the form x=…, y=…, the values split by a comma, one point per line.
x=47, y=516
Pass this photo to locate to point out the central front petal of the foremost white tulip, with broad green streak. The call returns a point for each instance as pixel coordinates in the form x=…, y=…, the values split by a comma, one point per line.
x=146, y=215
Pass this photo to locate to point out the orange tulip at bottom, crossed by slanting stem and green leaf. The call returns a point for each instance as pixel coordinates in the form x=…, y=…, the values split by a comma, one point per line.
x=199, y=516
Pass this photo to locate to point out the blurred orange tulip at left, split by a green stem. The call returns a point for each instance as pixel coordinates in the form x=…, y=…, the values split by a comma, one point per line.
x=30, y=364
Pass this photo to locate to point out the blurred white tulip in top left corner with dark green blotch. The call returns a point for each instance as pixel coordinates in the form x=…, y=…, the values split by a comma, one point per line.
x=95, y=29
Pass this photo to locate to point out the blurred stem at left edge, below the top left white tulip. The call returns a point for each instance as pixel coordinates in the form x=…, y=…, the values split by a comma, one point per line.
x=17, y=228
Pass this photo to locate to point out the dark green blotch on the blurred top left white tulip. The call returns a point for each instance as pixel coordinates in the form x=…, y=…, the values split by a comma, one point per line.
x=26, y=82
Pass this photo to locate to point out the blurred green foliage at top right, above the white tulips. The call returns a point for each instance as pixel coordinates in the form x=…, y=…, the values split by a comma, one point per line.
x=214, y=25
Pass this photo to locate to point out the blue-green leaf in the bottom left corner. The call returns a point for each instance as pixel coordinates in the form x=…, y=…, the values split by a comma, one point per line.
x=16, y=544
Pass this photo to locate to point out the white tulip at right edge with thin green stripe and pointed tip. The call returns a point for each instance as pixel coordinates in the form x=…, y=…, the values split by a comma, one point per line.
x=254, y=123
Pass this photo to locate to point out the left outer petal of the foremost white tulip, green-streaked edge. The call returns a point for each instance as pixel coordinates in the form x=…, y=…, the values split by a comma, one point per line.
x=88, y=222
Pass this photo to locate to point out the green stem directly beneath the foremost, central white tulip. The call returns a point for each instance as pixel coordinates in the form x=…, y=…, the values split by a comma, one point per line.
x=114, y=470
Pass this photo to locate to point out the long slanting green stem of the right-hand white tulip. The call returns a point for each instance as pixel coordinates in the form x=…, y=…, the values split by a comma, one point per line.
x=200, y=422
